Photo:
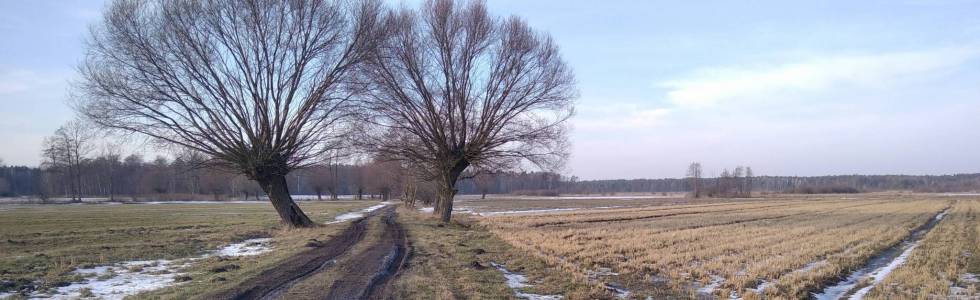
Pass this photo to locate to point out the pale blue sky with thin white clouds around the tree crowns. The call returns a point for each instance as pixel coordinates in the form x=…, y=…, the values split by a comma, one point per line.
x=786, y=87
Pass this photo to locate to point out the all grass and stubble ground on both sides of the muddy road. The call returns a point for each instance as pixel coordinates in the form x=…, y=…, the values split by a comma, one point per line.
x=773, y=248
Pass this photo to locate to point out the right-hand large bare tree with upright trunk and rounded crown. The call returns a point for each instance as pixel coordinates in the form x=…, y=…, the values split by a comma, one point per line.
x=456, y=88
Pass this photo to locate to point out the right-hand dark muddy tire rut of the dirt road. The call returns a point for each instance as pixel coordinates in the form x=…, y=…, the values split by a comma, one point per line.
x=369, y=272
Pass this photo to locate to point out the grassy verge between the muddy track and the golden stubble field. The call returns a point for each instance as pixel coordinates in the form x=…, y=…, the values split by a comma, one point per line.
x=453, y=262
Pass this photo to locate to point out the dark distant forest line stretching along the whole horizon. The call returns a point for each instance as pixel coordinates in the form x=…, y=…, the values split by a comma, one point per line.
x=133, y=178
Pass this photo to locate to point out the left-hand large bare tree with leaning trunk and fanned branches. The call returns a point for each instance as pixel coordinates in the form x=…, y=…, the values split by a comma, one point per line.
x=260, y=87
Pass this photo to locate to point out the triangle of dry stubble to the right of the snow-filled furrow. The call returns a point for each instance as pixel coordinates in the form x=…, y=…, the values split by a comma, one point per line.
x=942, y=258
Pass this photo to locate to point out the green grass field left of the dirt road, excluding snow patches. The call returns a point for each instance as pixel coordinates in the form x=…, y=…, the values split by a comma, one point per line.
x=42, y=244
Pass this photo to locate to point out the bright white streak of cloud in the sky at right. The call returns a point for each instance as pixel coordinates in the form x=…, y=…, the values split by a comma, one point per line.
x=711, y=87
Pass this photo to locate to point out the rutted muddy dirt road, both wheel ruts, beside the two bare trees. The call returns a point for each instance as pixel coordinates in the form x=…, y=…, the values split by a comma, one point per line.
x=362, y=275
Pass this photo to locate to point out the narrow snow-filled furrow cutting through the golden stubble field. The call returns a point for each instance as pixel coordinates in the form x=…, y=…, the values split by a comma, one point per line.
x=878, y=267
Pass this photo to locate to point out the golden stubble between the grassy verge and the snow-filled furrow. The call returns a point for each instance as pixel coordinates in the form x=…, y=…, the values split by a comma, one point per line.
x=743, y=242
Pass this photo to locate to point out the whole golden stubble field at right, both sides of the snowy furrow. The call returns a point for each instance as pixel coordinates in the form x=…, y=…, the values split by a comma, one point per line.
x=775, y=249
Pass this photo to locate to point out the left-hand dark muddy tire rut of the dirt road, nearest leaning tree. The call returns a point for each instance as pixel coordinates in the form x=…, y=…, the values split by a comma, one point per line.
x=271, y=283
